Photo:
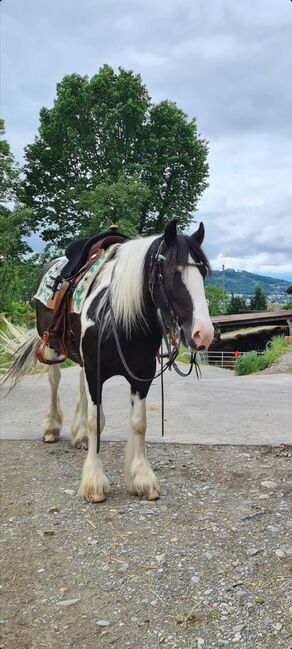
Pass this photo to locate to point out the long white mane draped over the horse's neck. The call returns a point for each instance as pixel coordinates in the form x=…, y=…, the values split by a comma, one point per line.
x=125, y=275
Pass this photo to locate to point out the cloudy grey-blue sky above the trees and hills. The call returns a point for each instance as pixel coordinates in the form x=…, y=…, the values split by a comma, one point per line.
x=226, y=62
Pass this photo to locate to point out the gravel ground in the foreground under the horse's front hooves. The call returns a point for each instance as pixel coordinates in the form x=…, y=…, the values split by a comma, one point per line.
x=206, y=566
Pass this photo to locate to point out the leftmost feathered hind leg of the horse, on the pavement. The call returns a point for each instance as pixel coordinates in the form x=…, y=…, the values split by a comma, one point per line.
x=53, y=418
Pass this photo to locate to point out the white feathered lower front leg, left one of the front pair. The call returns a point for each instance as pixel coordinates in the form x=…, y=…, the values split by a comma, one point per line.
x=94, y=484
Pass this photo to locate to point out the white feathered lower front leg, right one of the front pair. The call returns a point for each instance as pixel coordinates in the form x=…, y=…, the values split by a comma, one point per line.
x=140, y=478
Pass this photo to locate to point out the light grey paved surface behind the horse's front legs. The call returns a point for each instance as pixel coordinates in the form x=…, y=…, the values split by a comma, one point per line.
x=219, y=409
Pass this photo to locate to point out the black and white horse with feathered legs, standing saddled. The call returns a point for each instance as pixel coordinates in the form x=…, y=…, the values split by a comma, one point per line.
x=143, y=275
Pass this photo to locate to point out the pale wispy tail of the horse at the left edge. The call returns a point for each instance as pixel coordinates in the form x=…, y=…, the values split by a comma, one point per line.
x=18, y=347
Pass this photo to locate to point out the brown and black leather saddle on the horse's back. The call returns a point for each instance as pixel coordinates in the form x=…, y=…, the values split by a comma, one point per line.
x=81, y=254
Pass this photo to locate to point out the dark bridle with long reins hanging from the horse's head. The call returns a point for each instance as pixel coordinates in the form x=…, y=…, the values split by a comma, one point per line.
x=171, y=332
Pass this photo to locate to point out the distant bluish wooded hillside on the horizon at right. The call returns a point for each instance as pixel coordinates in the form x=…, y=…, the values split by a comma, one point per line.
x=243, y=283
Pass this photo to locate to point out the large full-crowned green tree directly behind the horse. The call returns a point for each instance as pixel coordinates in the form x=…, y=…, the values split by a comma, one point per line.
x=102, y=133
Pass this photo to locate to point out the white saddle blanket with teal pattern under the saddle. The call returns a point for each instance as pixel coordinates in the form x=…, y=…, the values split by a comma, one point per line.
x=44, y=293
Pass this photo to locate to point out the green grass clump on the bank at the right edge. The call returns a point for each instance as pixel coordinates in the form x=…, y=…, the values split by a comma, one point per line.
x=251, y=362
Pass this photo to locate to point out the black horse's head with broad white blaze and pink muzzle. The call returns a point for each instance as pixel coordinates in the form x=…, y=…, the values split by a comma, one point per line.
x=182, y=267
